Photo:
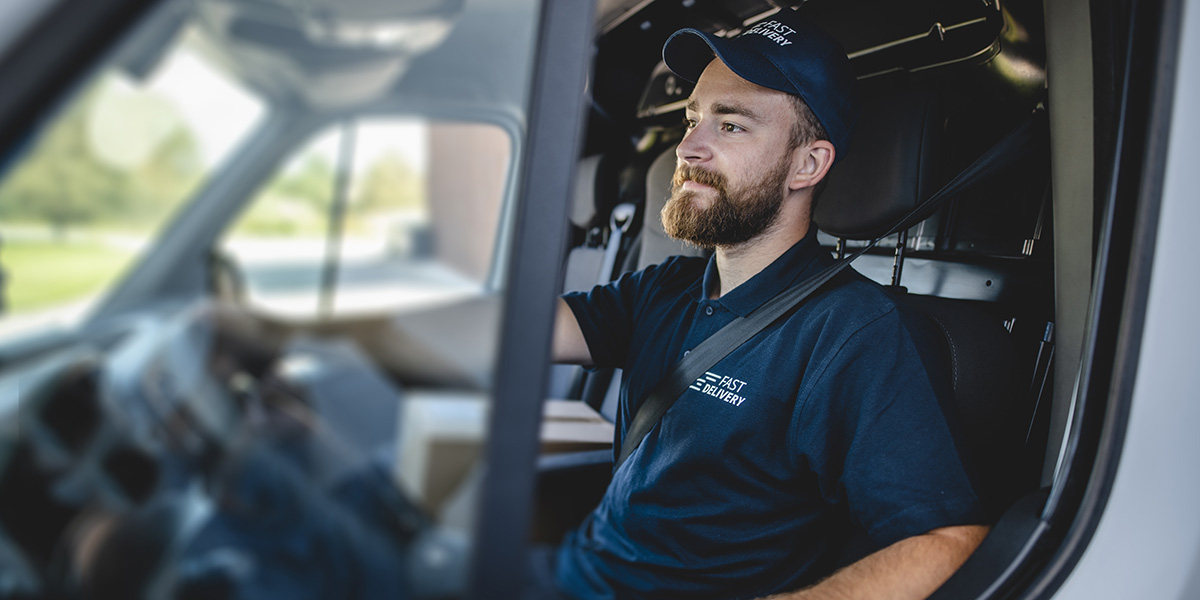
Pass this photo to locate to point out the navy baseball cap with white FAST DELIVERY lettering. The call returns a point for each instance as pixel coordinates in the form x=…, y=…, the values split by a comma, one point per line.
x=784, y=52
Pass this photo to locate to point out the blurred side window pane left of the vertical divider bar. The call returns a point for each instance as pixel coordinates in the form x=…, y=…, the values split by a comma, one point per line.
x=290, y=224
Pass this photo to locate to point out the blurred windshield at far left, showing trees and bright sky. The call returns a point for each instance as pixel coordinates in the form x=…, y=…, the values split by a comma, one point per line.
x=101, y=179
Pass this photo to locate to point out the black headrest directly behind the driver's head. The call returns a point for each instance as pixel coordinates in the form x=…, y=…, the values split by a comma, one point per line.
x=892, y=166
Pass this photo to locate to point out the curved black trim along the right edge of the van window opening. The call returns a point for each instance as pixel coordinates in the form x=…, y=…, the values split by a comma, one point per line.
x=1132, y=202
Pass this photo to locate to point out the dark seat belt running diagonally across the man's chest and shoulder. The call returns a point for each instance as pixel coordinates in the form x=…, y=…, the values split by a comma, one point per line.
x=712, y=351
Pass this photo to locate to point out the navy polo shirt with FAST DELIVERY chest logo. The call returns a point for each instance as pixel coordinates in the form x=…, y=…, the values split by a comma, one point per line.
x=824, y=428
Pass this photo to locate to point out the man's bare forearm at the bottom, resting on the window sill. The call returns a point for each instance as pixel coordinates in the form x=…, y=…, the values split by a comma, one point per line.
x=910, y=569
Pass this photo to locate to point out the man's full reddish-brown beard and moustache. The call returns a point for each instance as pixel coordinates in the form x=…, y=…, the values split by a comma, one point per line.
x=735, y=217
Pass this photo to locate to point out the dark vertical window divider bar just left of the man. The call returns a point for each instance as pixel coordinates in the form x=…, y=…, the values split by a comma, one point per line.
x=556, y=122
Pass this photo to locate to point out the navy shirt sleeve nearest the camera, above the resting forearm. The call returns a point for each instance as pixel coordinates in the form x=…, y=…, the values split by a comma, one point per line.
x=874, y=430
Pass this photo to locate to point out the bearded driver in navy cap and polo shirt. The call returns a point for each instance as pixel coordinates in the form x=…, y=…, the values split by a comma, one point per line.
x=820, y=442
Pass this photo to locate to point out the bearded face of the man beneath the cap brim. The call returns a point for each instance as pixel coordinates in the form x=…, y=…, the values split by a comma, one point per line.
x=734, y=164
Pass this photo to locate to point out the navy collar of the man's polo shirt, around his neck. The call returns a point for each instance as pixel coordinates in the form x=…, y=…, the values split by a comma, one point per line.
x=794, y=266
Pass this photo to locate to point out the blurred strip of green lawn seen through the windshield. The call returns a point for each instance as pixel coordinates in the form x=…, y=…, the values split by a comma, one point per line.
x=46, y=274
